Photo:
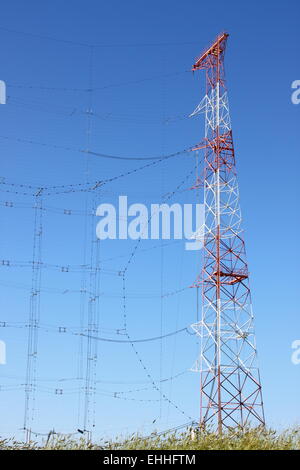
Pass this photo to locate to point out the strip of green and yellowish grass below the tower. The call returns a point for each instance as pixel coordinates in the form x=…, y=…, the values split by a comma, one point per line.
x=252, y=439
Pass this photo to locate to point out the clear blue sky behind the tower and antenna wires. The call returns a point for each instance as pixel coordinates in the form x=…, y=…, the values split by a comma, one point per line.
x=142, y=93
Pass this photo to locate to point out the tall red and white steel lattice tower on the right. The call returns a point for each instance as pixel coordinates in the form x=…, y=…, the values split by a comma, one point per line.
x=230, y=382
